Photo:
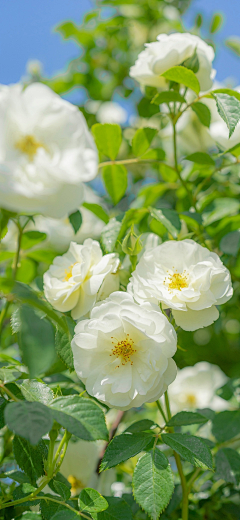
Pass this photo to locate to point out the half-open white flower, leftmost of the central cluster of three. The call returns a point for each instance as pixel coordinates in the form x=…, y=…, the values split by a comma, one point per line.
x=74, y=280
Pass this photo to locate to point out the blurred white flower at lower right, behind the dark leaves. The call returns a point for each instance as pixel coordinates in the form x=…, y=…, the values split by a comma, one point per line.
x=194, y=387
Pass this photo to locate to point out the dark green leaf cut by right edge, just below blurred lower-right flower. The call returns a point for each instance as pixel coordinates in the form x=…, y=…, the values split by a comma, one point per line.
x=226, y=425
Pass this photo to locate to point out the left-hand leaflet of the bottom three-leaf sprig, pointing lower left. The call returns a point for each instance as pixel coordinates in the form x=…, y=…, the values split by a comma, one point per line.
x=123, y=447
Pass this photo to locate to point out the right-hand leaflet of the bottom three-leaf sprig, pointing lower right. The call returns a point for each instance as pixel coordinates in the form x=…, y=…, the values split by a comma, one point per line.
x=193, y=449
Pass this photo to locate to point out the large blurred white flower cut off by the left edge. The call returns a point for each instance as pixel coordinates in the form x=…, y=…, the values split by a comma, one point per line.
x=46, y=152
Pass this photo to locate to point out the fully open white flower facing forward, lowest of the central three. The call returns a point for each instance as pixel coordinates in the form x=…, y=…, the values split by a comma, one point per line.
x=123, y=353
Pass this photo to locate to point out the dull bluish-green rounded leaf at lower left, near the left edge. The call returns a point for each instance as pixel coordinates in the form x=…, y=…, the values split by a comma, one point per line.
x=29, y=420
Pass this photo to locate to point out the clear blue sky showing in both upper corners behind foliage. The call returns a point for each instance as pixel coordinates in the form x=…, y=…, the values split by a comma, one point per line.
x=27, y=32
